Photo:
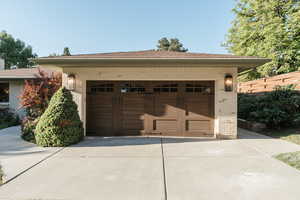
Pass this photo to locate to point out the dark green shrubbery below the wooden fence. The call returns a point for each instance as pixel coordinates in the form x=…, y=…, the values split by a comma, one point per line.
x=276, y=109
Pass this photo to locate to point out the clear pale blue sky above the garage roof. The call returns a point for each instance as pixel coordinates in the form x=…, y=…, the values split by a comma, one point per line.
x=96, y=26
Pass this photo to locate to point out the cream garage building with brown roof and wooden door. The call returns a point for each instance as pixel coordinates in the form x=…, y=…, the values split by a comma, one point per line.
x=154, y=92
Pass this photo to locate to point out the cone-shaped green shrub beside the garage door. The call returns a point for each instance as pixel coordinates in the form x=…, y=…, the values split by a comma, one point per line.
x=60, y=124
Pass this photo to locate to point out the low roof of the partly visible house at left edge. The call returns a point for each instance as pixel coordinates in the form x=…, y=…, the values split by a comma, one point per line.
x=20, y=74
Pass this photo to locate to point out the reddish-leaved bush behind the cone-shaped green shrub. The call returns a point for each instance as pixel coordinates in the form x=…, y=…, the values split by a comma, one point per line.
x=35, y=99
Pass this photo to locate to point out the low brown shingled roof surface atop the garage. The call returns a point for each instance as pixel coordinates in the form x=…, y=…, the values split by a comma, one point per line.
x=151, y=54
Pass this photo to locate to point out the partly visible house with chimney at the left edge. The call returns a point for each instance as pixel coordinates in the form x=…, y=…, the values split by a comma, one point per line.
x=11, y=86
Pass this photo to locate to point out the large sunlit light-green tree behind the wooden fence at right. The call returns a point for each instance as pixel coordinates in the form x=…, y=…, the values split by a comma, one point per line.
x=267, y=29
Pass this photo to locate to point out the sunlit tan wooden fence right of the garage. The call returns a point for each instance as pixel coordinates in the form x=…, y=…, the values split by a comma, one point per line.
x=268, y=84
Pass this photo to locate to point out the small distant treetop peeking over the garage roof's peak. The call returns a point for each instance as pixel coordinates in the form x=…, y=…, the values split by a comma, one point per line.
x=164, y=44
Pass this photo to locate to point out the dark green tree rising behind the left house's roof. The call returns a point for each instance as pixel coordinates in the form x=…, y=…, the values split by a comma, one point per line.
x=15, y=52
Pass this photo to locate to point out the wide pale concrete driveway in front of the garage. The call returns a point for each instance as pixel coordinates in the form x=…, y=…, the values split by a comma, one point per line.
x=161, y=168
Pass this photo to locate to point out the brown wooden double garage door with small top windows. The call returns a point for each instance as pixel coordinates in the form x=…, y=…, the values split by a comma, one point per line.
x=116, y=108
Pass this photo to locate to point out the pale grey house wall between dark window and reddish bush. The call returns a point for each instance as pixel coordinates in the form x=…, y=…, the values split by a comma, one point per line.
x=15, y=89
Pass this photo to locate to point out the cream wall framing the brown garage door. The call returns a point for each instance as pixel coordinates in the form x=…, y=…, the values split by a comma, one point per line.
x=225, y=102
